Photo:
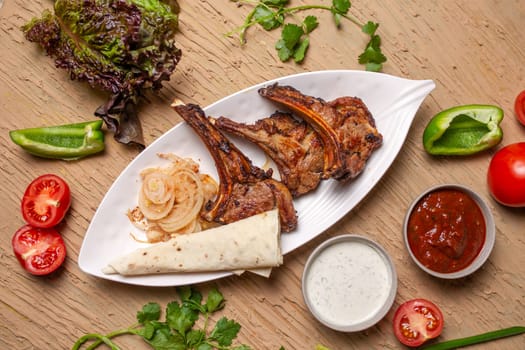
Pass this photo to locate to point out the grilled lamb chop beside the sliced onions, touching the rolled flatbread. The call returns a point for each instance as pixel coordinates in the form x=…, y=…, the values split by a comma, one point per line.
x=244, y=189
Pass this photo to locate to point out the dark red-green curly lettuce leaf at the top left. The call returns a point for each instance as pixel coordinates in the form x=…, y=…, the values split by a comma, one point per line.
x=122, y=47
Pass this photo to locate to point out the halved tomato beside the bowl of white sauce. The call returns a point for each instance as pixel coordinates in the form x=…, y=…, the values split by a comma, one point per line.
x=417, y=321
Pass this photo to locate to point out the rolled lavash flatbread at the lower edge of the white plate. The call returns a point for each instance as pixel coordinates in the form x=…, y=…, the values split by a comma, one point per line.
x=250, y=243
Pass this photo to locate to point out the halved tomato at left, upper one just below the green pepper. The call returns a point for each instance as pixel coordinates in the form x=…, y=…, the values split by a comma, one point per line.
x=46, y=201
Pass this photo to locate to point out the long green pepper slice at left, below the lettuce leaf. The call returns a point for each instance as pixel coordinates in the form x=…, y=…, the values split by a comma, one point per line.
x=67, y=142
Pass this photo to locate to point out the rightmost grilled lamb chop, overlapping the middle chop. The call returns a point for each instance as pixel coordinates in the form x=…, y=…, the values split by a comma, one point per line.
x=345, y=126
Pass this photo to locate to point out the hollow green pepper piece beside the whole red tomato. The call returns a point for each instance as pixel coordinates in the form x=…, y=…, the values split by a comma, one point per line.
x=463, y=130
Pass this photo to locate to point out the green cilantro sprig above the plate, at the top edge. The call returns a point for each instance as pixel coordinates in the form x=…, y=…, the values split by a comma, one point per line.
x=295, y=41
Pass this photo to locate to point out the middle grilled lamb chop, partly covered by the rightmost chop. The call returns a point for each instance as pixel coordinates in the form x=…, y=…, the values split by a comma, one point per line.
x=292, y=144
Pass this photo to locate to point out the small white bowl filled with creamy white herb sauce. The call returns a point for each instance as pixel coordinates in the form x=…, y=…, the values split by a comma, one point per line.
x=349, y=283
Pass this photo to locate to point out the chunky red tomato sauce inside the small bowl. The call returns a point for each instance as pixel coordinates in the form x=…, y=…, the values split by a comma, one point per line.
x=446, y=230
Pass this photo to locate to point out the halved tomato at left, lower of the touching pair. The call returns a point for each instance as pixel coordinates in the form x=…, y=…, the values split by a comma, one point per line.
x=39, y=250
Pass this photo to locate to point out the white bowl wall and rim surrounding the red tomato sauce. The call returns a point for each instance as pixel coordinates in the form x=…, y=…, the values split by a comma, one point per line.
x=490, y=233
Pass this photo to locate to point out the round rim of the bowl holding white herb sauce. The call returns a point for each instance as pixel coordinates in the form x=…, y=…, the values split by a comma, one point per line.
x=389, y=301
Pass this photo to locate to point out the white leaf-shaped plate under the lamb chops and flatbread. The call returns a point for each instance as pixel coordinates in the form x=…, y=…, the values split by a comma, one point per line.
x=393, y=102
